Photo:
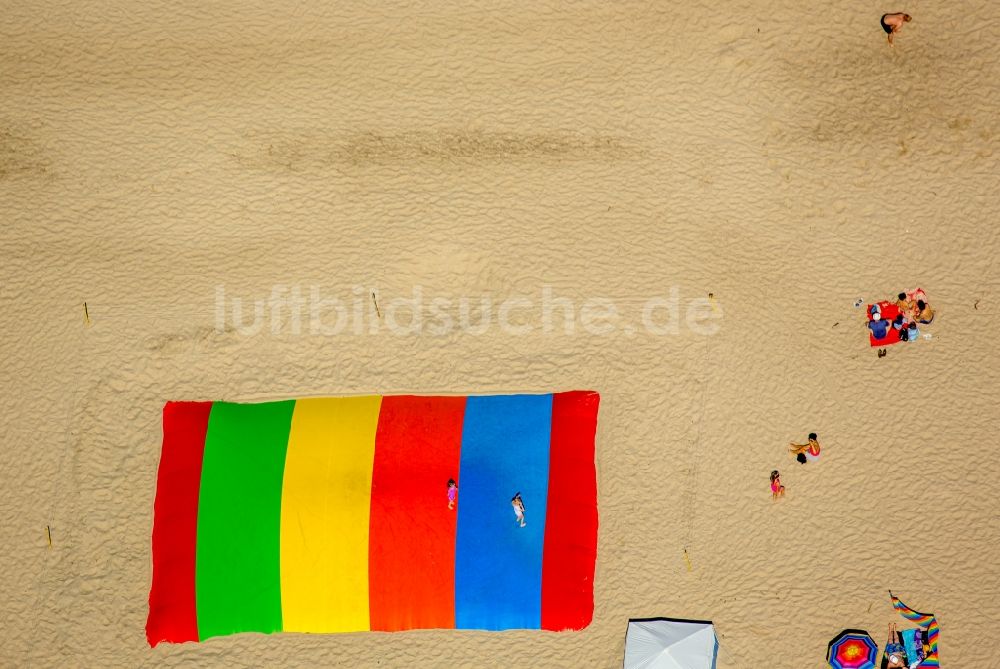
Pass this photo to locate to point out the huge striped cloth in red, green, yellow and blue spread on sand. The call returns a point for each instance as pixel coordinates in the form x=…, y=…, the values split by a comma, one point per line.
x=331, y=515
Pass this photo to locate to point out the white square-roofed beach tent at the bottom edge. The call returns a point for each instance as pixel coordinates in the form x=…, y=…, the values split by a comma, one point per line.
x=668, y=643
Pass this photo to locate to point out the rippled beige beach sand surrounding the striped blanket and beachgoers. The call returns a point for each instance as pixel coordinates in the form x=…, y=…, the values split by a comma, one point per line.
x=779, y=155
